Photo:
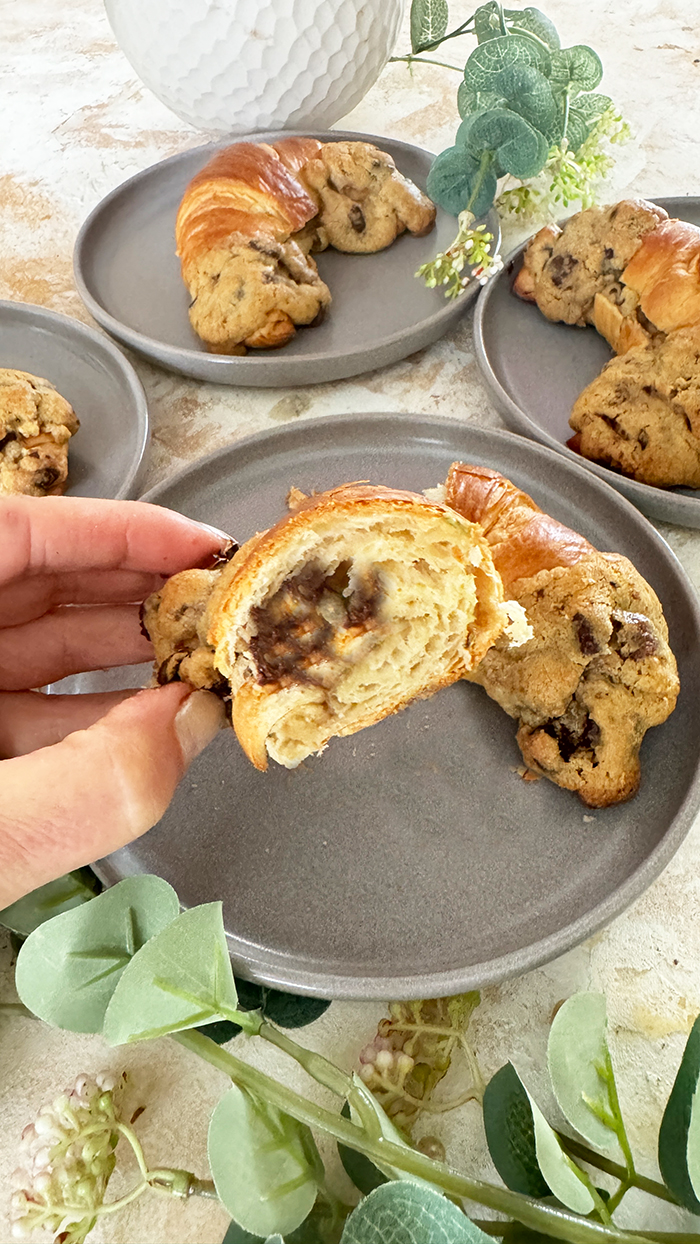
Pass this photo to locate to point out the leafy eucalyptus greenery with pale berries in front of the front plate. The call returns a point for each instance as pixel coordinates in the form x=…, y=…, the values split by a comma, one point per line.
x=131, y=966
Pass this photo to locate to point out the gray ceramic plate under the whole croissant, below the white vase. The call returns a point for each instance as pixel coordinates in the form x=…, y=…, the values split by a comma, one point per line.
x=130, y=279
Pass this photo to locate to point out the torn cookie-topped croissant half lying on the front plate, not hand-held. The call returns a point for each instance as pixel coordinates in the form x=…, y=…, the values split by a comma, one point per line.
x=599, y=670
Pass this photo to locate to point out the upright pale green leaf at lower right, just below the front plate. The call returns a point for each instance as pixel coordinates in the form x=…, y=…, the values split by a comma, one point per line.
x=581, y=1069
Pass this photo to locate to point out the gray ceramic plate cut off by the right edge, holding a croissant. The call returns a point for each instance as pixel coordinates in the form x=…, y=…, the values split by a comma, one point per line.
x=537, y=370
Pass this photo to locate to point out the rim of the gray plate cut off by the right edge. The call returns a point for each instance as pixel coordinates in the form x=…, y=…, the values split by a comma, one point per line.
x=646, y=497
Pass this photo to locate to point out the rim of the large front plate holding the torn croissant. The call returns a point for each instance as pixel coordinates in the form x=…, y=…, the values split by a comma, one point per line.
x=272, y=968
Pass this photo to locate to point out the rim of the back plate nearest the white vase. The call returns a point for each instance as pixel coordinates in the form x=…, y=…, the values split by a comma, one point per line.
x=249, y=364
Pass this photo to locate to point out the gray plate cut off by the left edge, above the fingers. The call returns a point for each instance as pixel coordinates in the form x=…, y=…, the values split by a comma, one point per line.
x=108, y=452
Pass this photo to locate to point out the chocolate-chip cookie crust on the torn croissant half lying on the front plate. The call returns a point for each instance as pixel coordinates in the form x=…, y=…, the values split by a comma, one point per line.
x=596, y=676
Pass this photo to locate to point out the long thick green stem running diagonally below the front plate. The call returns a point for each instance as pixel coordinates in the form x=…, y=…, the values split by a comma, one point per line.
x=549, y=1221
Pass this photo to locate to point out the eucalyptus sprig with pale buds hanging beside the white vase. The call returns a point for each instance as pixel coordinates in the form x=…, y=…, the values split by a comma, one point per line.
x=535, y=135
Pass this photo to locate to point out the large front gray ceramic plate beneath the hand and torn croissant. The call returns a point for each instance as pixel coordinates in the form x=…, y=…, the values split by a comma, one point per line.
x=412, y=860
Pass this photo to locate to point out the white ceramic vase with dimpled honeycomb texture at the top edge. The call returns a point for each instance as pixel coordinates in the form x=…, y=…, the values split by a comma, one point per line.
x=234, y=67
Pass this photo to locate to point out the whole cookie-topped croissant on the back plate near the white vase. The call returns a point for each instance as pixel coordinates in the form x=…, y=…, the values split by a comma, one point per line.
x=251, y=218
